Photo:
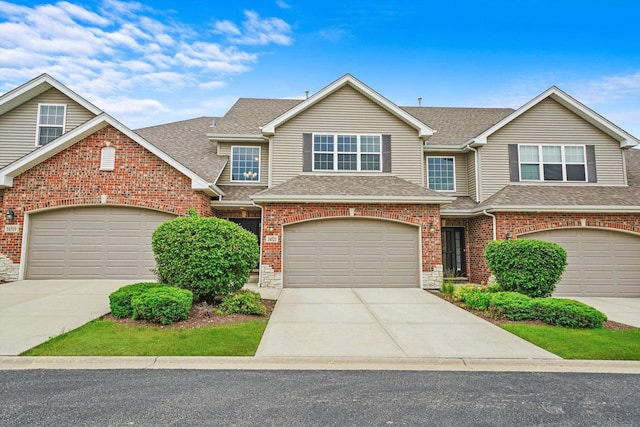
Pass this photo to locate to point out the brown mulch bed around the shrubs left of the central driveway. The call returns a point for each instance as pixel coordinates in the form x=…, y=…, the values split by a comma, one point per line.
x=201, y=315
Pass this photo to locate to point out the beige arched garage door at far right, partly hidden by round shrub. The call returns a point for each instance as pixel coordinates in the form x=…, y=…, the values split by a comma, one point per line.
x=599, y=262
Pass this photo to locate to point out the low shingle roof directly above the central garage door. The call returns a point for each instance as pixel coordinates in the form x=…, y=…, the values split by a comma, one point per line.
x=349, y=186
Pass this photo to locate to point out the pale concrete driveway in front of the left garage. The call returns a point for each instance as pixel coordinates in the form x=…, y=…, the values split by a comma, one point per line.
x=32, y=311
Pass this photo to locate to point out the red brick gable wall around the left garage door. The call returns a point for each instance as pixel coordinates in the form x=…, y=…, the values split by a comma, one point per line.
x=73, y=178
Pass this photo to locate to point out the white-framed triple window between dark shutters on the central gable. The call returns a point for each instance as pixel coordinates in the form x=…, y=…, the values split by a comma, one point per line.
x=347, y=152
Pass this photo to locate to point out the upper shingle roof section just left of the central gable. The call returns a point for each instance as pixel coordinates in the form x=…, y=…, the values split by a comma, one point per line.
x=248, y=114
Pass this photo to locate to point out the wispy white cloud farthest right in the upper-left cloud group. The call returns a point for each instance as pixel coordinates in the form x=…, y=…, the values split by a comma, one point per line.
x=256, y=31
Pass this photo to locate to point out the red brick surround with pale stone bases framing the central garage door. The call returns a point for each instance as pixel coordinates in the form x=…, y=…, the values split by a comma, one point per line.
x=281, y=214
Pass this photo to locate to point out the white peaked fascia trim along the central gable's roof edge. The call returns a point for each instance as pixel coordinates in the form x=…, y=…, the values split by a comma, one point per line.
x=424, y=131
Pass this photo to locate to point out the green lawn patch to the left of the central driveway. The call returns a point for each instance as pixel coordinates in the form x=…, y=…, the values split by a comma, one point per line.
x=104, y=338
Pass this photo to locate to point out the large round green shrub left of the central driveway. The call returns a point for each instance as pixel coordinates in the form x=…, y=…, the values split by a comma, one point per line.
x=208, y=256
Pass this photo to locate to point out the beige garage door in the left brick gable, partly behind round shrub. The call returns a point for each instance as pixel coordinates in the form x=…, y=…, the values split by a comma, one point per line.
x=92, y=242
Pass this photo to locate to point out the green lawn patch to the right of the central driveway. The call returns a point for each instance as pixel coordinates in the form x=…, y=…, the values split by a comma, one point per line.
x=587, y=344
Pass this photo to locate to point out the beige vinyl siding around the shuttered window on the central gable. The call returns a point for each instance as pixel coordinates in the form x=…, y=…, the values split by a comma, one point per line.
x=348, y=111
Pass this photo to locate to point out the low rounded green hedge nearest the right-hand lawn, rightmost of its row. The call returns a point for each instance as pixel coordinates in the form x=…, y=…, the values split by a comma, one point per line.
x=568, y=313
